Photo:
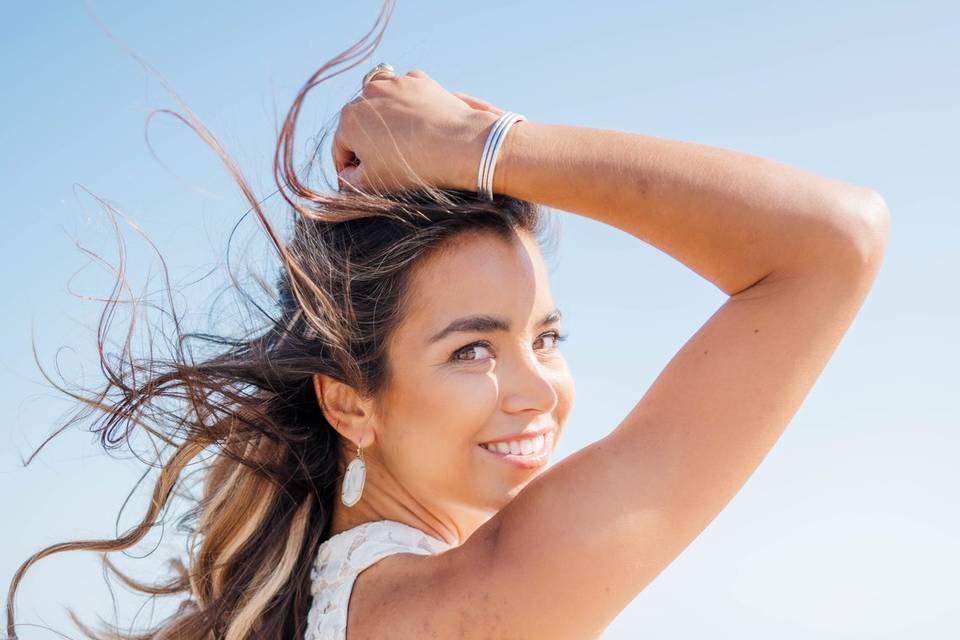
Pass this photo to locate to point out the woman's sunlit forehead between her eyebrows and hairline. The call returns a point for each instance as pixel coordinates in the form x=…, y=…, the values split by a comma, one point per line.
x=478, y=272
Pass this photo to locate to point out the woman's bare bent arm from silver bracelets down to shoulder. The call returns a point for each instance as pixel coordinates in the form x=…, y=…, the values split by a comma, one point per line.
x=796, y=252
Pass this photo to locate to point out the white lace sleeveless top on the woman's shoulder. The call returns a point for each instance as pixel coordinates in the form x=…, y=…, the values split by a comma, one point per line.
x=342, y=557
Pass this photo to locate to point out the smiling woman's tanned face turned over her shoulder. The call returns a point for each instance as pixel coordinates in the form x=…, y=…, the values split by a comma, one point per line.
x=449, y=394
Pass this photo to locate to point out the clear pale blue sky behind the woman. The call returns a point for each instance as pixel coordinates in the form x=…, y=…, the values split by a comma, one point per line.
x=850, y=527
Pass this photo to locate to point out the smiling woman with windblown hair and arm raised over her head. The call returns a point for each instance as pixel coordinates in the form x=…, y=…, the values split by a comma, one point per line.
x=417, y=345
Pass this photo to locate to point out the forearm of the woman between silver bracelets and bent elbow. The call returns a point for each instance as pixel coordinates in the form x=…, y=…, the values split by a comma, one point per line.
x=731, y=217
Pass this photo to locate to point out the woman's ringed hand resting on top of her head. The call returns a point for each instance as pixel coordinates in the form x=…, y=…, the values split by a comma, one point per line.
x=402, y=128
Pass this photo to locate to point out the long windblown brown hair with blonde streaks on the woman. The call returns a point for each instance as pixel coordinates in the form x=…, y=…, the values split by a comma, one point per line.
x=268, y=489
